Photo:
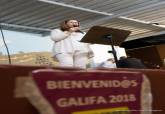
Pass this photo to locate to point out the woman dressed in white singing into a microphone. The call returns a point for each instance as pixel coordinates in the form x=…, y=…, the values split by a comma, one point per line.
x=67, y=48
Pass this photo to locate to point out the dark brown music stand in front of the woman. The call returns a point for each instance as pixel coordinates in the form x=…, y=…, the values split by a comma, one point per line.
x=106, y=36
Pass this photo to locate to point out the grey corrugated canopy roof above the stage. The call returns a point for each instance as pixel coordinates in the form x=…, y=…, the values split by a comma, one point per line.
x=142, y=17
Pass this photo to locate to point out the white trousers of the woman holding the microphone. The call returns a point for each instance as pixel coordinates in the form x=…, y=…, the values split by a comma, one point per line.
x=76, y=59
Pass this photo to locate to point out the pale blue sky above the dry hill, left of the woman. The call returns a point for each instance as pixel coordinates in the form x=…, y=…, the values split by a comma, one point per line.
x=26, y=42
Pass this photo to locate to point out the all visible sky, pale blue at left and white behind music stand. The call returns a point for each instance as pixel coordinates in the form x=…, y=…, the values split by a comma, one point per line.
x=26, y=42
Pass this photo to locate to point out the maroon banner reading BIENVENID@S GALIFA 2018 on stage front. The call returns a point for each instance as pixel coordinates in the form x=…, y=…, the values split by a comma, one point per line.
x=79, y=92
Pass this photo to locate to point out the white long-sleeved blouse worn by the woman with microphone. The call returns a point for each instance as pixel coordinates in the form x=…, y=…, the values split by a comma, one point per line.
x=65, y=42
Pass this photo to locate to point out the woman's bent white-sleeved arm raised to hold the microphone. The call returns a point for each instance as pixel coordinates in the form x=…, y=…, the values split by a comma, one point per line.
x=57, y=35
